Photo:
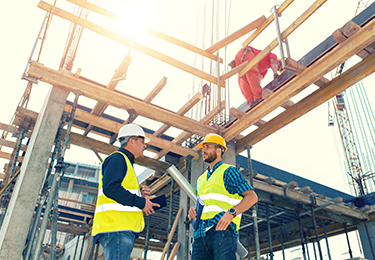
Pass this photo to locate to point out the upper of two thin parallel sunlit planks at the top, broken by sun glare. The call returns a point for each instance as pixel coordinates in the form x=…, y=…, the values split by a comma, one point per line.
x=151, y=31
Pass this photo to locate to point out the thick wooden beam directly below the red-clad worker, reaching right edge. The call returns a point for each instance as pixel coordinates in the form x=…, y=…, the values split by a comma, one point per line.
x=331, y=60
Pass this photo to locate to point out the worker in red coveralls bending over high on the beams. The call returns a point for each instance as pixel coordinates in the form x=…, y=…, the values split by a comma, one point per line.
x=250, y=82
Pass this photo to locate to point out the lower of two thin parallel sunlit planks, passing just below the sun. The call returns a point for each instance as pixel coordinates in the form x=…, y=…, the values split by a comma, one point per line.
x=123, y=40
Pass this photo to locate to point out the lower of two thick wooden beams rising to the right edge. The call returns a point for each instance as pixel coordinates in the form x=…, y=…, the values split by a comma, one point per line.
x=331, y=89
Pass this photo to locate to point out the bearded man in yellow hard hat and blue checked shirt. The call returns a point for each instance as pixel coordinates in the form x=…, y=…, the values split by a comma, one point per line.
x=226, y=194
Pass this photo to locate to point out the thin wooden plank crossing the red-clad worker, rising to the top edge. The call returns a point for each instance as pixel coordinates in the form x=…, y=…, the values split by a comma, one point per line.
x=284, y=35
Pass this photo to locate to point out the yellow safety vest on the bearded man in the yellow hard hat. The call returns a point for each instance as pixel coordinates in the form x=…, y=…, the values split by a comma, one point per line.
x=216, y=198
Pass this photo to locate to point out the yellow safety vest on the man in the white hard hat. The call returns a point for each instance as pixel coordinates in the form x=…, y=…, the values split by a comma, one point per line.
x=111, y=216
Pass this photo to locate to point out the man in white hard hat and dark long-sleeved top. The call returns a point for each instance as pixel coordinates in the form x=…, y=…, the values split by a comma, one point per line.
x=118, y=215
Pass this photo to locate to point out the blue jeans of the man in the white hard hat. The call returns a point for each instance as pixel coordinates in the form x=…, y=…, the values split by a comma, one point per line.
x=117, y=245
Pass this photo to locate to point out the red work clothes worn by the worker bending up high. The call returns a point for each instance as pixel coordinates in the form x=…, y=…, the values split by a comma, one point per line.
x=250, y=82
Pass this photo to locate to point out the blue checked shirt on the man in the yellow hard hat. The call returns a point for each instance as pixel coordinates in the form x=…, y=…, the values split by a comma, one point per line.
x=234, y=183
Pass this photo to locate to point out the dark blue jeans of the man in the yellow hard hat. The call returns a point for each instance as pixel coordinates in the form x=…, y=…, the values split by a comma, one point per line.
x=215, y=245
